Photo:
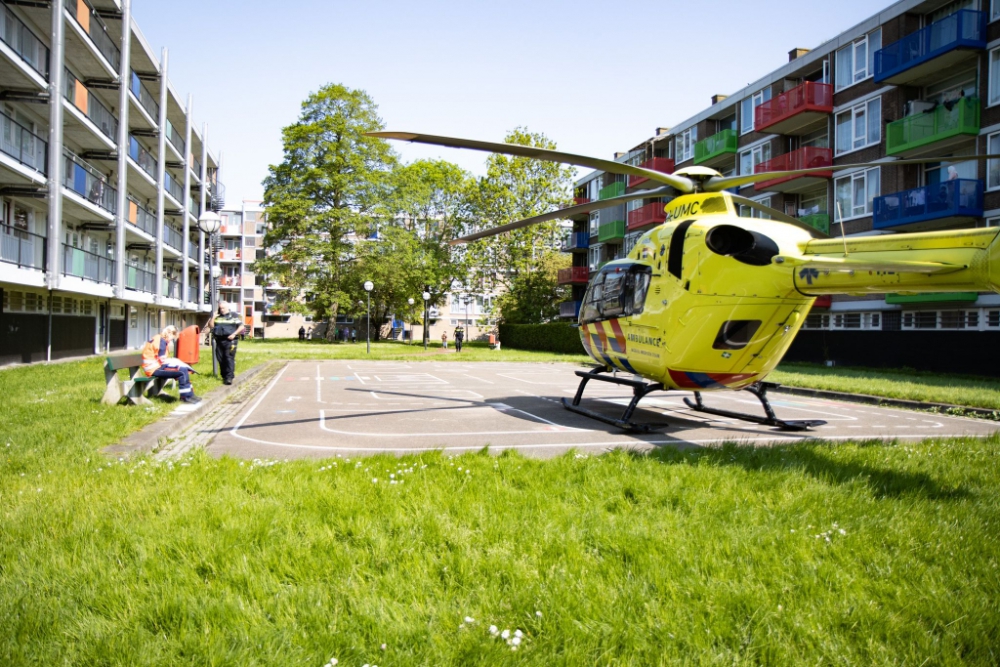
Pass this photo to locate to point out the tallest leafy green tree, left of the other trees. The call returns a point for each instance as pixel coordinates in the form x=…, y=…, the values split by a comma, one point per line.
x=331, y=184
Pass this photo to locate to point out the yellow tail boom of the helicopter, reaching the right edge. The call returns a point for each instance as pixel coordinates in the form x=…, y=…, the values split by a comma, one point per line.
x=948, y=261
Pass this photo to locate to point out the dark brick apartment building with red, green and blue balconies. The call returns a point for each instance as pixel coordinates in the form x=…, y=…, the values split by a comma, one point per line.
x=917, y=79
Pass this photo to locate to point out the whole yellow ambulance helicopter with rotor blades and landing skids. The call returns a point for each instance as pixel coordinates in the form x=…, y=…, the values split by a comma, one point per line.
x=709, y=300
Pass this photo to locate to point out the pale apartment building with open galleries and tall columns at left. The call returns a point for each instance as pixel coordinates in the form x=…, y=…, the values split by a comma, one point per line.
x=103, y=176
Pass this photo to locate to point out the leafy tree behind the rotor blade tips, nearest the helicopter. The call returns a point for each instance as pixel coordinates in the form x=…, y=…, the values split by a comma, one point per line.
x=521, y=264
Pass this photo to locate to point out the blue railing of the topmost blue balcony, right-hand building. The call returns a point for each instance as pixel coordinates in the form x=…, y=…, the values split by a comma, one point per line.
x=965, y=29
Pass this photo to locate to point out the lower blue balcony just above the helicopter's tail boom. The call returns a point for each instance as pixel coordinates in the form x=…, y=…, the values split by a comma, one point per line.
x=930, y=207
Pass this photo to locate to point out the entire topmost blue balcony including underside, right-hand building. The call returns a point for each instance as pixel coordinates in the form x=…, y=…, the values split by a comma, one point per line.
x=933, y=49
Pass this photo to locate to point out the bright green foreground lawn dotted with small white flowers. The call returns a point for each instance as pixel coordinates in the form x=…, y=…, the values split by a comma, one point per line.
x=854, y=553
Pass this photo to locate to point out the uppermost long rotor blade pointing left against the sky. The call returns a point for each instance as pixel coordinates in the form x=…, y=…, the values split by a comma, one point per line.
x=679, y=183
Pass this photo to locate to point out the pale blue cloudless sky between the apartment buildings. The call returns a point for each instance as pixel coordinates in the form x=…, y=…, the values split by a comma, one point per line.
x=596, y=77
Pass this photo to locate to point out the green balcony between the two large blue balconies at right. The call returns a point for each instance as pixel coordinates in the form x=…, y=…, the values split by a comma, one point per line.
x=934, y=131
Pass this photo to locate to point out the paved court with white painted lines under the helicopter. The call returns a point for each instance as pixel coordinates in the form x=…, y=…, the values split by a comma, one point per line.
x=355, y=407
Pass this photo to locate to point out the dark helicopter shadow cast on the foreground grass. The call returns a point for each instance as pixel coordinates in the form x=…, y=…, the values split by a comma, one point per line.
x=809, y=458
